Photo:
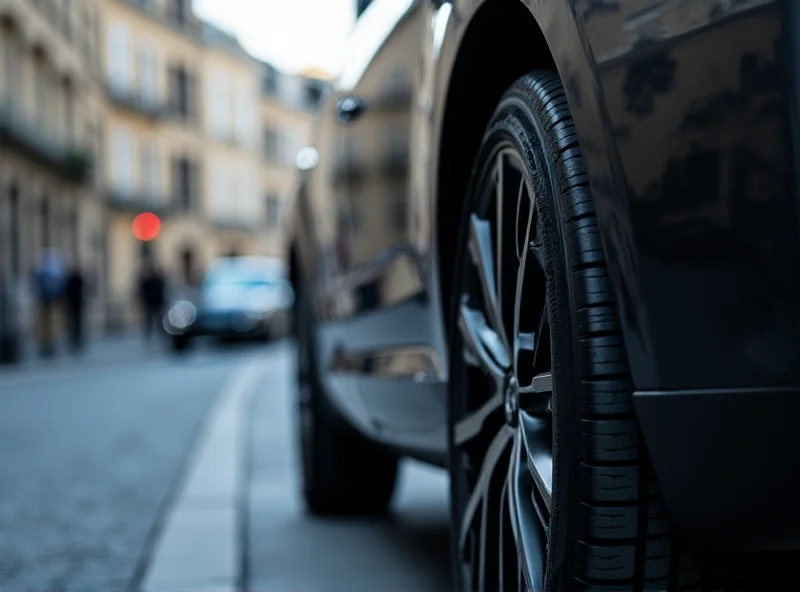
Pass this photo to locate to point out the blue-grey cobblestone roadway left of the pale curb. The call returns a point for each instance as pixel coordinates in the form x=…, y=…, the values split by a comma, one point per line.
x=89, y=454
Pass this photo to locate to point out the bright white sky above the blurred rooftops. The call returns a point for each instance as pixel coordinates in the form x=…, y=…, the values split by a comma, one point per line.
x=291, y=34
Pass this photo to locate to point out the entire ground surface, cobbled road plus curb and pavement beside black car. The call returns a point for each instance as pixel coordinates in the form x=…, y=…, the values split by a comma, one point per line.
x=132, y=469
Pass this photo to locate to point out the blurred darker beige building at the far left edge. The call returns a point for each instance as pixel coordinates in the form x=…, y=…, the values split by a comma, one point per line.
x=50, y=113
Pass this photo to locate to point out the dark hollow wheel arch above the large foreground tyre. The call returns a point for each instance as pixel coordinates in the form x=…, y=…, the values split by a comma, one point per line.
x=502, y=42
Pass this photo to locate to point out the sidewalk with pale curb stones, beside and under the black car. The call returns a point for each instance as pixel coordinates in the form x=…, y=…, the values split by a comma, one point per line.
x=237, y=523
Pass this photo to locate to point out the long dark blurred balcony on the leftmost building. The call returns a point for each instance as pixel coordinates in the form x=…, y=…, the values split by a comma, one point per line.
x=71, y=162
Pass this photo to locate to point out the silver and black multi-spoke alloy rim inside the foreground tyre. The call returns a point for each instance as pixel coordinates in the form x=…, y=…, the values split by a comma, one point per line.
x=502, y=416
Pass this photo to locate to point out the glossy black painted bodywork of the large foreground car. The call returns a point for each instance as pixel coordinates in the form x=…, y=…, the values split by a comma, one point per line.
x=686, y=112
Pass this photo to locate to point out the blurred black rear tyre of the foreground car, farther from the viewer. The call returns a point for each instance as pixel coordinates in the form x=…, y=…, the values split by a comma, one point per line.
x=343, y=472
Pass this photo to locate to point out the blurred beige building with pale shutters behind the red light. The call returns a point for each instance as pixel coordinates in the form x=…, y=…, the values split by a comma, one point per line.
x=181, y=140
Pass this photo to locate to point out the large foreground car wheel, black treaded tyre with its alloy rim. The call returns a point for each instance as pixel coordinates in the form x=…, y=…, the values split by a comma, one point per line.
x=601, y=522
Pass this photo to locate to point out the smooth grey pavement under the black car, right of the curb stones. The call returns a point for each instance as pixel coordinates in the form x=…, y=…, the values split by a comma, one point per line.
x=290, y=551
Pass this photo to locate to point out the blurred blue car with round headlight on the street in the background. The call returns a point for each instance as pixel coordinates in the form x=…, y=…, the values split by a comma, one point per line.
x=241, y=297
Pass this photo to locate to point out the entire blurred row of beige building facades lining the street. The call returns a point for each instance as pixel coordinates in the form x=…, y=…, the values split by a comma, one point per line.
x=112, y=108
